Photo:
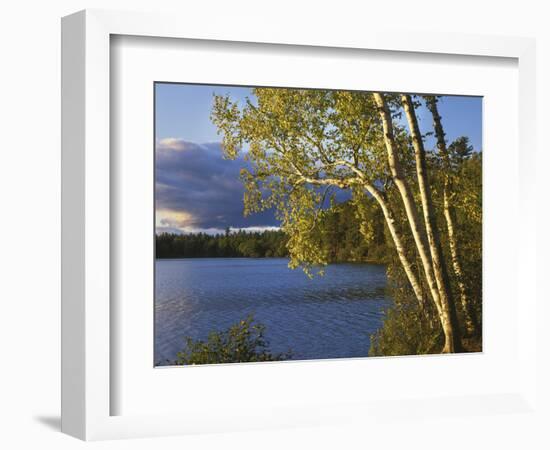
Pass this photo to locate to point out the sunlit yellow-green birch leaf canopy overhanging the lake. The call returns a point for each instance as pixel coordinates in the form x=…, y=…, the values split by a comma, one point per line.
x=301, y=144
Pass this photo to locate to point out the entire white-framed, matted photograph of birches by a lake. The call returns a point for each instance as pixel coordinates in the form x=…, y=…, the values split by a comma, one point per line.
x=270, y=230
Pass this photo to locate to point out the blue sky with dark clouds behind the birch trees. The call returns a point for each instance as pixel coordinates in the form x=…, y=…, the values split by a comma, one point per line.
x=199, y=191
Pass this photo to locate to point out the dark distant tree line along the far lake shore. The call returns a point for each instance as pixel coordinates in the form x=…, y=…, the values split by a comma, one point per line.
x=341, y=238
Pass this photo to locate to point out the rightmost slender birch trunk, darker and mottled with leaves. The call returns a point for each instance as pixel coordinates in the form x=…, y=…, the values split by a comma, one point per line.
x=448, y=211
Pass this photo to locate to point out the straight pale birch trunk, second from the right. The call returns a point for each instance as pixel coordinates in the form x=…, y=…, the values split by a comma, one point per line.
x=449, y=317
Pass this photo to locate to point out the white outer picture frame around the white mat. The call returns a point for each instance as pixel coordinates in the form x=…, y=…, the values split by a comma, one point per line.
x=88, y=386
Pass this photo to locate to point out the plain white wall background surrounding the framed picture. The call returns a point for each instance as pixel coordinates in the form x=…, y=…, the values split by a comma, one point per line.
x=30, y=196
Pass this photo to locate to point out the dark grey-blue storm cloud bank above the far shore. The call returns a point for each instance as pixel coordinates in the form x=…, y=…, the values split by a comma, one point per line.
x=197, y=189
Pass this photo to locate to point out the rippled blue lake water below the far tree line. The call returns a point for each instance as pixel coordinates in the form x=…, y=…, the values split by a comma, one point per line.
x=331, y=316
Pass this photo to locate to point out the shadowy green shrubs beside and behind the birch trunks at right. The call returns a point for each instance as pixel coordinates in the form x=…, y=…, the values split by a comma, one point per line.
x=408, y=330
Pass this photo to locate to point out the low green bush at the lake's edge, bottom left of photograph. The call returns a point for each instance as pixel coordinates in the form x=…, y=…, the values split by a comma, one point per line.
x=242, y=342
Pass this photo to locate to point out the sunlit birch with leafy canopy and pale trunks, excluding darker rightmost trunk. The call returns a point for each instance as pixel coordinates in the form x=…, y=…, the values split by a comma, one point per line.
x=300, y=144
